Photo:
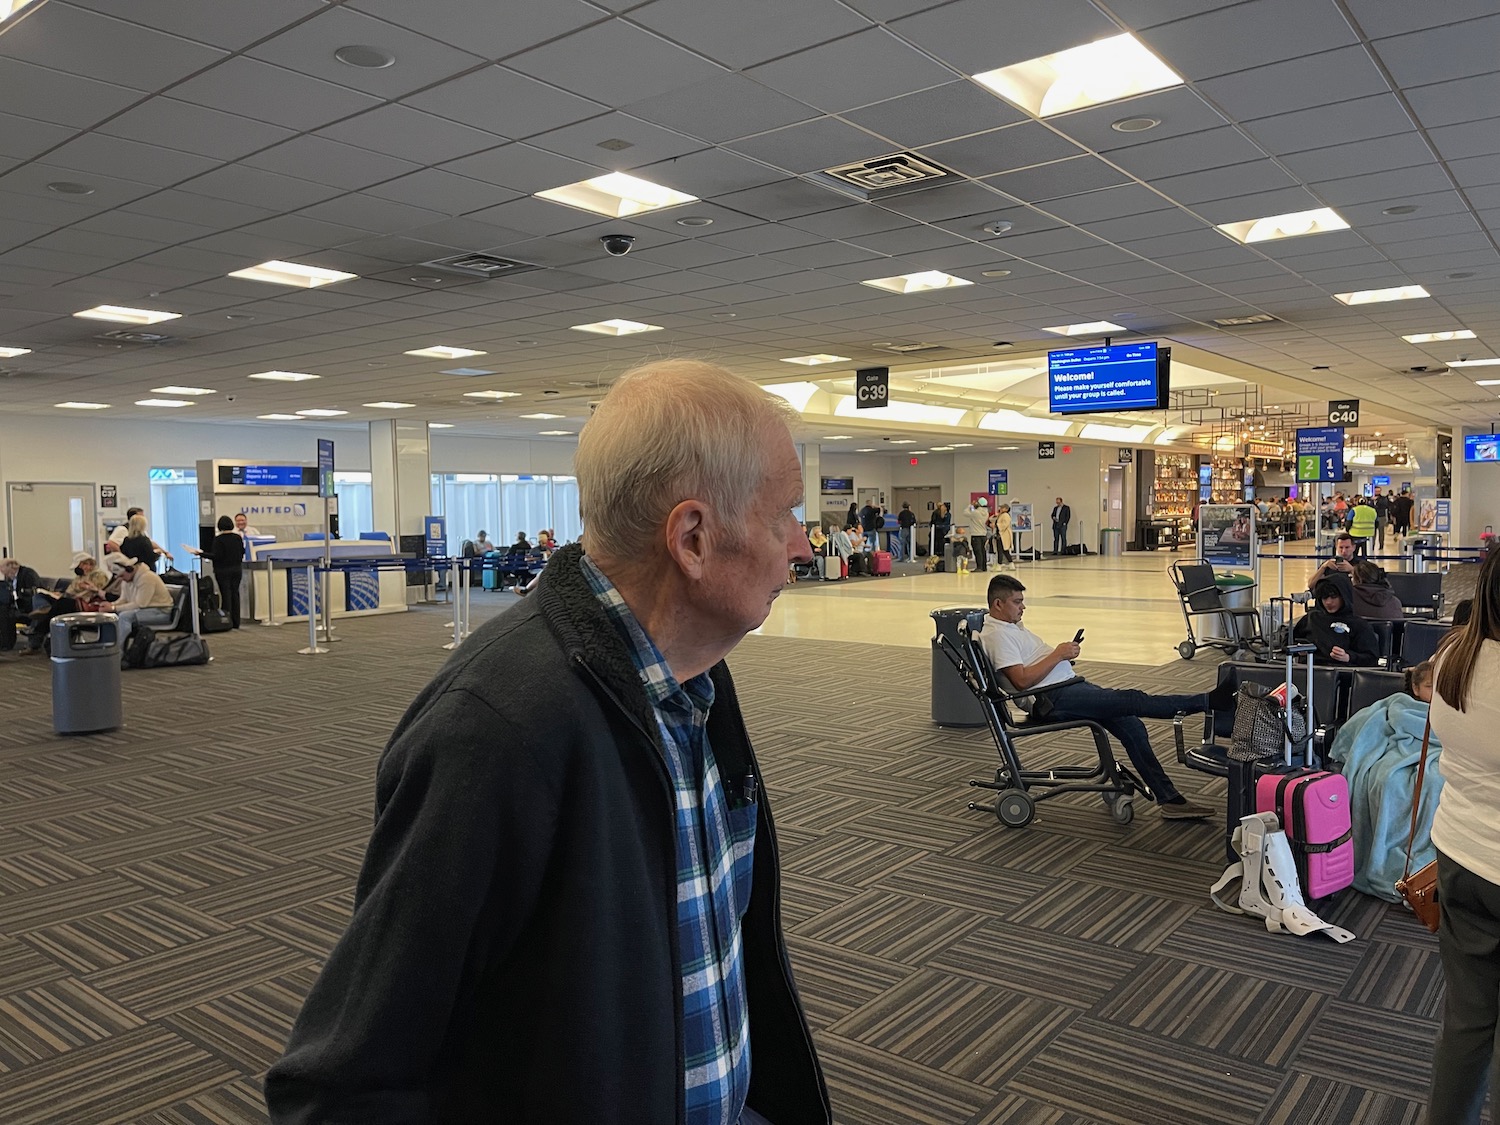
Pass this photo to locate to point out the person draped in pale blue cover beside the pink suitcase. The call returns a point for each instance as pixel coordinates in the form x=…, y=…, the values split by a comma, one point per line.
x=1379, y=751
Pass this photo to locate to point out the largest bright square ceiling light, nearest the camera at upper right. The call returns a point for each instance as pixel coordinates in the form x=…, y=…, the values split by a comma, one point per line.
x=1099, y=73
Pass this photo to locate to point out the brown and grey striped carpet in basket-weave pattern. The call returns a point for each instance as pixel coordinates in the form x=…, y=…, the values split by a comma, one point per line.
x=167, y=893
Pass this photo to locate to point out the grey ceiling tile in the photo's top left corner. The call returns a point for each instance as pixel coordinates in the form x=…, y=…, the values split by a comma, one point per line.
x=83, y=43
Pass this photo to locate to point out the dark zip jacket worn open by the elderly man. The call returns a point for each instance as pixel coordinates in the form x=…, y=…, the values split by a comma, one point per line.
x=514, y=955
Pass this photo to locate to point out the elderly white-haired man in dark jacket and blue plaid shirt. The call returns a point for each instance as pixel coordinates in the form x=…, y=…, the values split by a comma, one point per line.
x=569, y=913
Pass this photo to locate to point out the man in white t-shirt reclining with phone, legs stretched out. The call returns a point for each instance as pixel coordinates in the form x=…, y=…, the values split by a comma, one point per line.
x=1027, y=661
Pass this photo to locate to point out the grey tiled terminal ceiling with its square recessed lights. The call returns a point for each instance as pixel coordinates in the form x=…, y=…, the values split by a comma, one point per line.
x=1295, y=194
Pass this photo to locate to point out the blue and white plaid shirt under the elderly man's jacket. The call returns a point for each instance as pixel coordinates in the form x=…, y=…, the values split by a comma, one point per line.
x=715, y=845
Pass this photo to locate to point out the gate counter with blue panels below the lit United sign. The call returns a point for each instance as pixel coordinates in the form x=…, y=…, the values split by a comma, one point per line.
x=278, y=580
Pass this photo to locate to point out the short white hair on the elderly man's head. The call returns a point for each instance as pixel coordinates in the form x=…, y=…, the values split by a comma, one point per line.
x=671, y=431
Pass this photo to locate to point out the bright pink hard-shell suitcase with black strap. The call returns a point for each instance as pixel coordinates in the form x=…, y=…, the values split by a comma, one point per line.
x=1313, y=808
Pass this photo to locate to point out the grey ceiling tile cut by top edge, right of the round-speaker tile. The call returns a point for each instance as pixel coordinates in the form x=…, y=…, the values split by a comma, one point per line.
x=475, y=28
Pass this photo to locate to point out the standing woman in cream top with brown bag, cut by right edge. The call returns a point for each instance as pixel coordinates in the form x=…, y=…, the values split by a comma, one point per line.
x=1466, y=713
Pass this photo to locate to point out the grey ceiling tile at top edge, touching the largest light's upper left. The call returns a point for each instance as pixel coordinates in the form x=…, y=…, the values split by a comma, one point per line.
x=970, y=35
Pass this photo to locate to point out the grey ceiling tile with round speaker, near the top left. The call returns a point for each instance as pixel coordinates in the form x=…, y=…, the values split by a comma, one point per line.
x=308, y=49
